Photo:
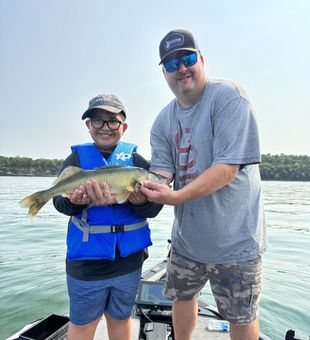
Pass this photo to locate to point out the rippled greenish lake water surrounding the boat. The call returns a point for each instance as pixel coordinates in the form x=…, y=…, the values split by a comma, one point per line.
x=32, y=255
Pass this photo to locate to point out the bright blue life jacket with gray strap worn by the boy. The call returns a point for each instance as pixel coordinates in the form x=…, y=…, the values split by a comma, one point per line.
x=95, y=232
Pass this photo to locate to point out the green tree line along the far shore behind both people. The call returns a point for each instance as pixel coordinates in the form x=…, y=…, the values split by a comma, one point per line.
x=273, y=168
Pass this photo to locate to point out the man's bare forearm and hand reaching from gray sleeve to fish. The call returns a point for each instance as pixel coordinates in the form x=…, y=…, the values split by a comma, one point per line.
x=211, y=180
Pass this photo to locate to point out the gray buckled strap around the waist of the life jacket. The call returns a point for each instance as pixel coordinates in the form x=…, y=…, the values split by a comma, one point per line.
x=101, y=229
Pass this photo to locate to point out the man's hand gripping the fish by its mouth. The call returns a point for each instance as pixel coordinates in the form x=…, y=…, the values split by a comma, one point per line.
x=160, y=193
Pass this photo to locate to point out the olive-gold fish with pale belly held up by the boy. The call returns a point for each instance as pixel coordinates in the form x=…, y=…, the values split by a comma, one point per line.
x=120, y=179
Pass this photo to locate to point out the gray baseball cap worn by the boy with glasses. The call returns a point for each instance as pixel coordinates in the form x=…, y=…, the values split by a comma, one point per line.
x=108, y=102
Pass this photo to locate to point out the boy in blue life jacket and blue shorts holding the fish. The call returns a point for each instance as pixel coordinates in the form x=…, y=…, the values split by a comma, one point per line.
x=104, y=264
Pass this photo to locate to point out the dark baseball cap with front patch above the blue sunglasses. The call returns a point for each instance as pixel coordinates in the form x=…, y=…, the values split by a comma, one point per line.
x=176, y=40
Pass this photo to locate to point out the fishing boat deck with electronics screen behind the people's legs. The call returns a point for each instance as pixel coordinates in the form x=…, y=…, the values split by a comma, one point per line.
x=151, y=317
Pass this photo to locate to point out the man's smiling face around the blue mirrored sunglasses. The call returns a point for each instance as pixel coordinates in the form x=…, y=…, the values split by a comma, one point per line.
x=188, y=81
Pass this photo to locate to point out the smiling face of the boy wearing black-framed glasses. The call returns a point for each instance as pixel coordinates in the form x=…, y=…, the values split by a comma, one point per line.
x=104, y=137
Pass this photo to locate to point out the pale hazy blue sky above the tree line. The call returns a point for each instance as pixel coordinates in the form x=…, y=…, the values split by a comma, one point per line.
x=56, y=55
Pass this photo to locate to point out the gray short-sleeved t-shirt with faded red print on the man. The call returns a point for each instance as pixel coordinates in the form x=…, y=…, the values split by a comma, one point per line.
x=220, y=128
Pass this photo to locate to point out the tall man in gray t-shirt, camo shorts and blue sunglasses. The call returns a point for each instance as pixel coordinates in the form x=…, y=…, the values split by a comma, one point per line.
x=207, y=140
